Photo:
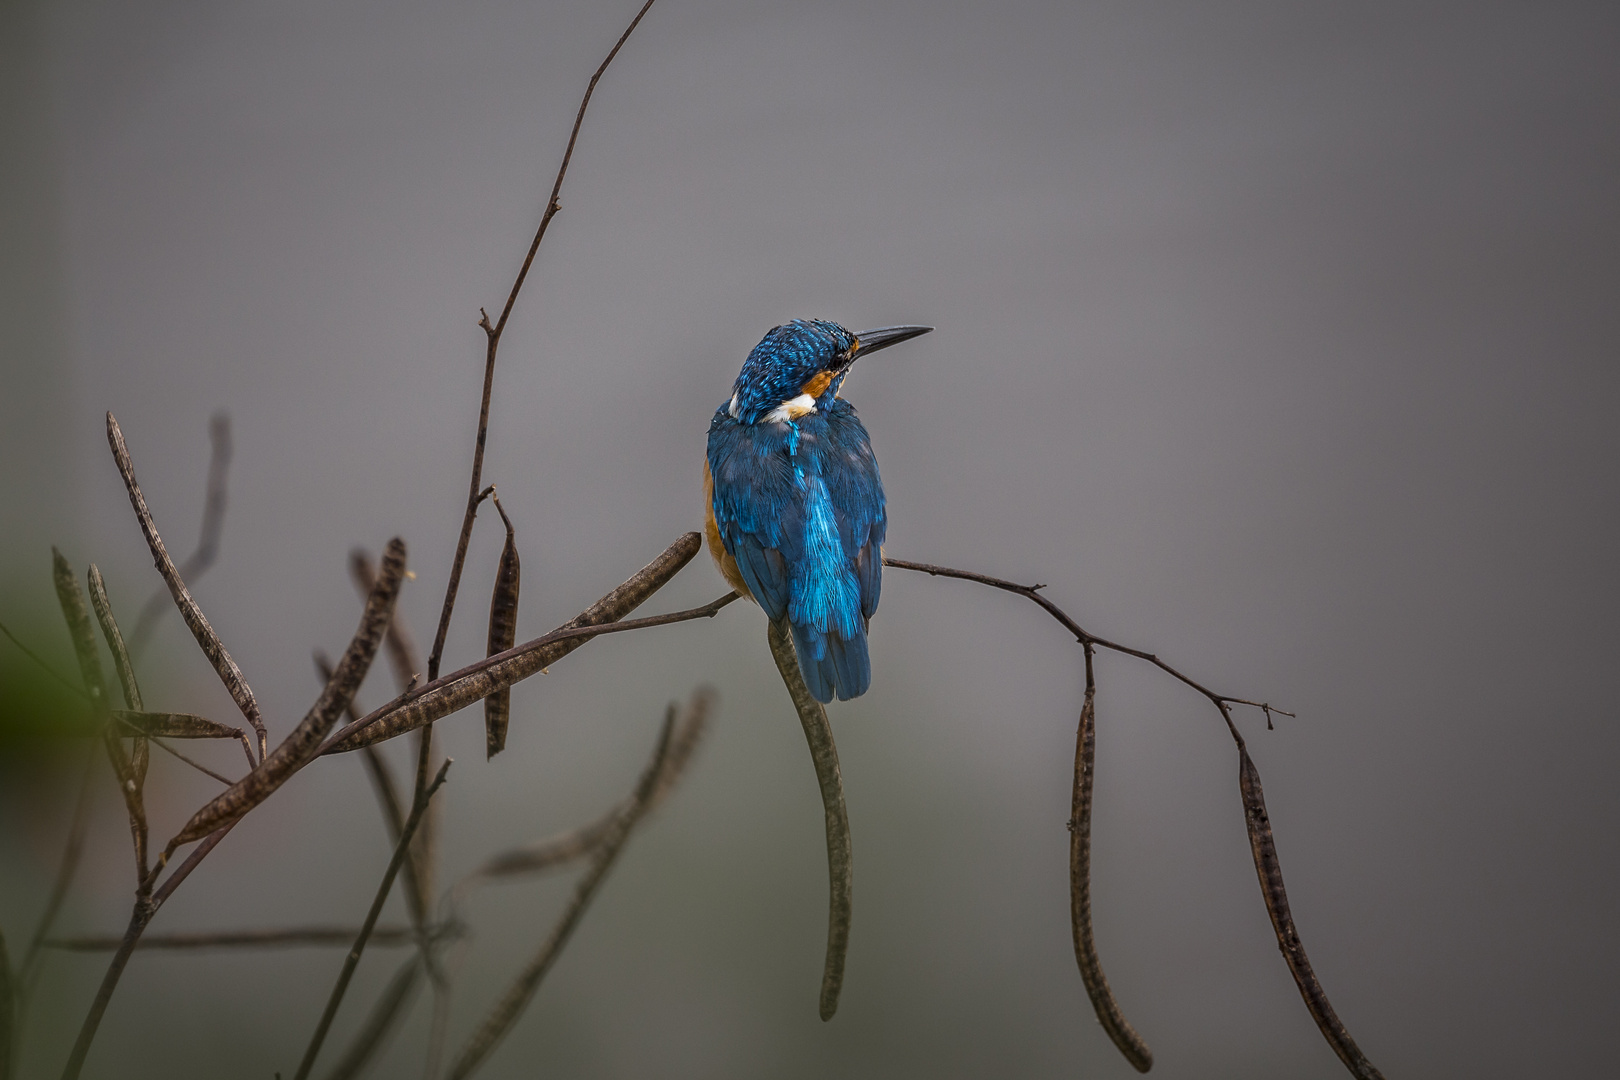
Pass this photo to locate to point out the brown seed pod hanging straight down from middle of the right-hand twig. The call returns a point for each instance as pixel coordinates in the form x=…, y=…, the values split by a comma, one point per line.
x=1109, y=1013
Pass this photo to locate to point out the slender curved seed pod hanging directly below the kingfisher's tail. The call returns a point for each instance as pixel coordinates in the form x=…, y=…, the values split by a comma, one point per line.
x=840, y=861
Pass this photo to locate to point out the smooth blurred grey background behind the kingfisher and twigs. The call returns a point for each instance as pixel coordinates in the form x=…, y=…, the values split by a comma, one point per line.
x=1279, y=339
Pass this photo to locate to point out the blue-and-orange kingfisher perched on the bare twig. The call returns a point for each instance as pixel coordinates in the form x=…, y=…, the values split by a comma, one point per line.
x=796, y=516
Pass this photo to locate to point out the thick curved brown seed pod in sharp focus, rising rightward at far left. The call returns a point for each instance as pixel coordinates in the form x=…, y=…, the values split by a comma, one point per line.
x=301, y=747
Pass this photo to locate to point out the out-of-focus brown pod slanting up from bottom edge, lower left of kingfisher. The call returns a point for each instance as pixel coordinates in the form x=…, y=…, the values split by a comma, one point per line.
x=522, y=990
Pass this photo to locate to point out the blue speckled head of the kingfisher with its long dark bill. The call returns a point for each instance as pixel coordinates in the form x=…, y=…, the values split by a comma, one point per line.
x=801, y=365
